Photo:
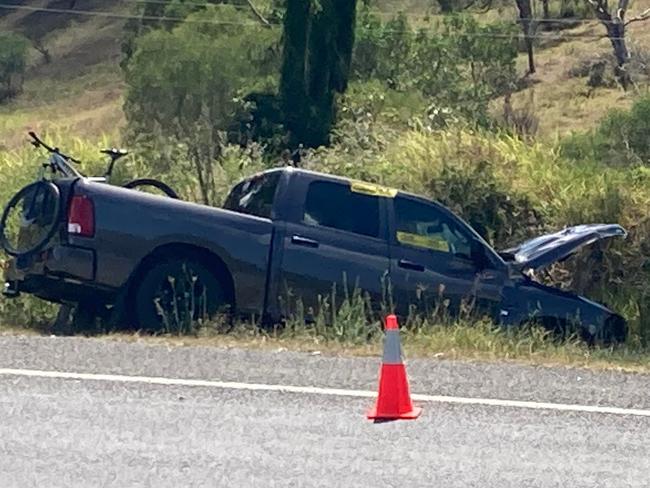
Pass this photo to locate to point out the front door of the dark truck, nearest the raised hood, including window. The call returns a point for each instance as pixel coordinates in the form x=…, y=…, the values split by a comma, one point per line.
x=434, y=265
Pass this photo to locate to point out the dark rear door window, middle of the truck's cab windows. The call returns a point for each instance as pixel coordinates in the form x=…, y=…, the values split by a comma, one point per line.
x=335, y=205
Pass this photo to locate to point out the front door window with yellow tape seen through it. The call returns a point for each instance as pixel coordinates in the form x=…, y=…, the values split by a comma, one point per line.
x=425, y=226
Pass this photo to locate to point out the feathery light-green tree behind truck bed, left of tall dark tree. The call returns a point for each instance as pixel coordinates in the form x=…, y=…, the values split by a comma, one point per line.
x=184, y=87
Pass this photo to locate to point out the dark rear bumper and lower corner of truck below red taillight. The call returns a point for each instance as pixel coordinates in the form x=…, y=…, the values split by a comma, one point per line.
x=60, y=274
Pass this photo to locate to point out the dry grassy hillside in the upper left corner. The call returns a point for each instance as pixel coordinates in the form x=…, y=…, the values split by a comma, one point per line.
x=80, y=89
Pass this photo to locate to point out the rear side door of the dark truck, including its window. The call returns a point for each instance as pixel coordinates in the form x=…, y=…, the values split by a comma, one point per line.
x=335, y=241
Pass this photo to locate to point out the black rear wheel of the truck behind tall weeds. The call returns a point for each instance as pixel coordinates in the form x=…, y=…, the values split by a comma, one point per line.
x=168, y=300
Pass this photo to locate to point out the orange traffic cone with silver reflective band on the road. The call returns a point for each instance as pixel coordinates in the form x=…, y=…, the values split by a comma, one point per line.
x=394, y=398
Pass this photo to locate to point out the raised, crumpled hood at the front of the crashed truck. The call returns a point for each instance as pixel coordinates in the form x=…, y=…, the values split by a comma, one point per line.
x=547, y=249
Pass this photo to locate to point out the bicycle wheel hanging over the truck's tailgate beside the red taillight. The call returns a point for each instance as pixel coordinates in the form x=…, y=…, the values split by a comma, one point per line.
x=30, y=219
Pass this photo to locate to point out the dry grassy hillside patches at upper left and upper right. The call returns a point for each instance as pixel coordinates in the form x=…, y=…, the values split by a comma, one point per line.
x=80, y=90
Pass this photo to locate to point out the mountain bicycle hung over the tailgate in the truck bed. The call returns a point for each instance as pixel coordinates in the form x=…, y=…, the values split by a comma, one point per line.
x=39, y=207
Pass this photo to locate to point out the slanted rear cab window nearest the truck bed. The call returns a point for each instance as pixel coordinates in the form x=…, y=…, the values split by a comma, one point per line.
x=254, y=196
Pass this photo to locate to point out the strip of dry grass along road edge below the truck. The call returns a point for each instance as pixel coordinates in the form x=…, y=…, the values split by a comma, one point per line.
x=457, y=342
